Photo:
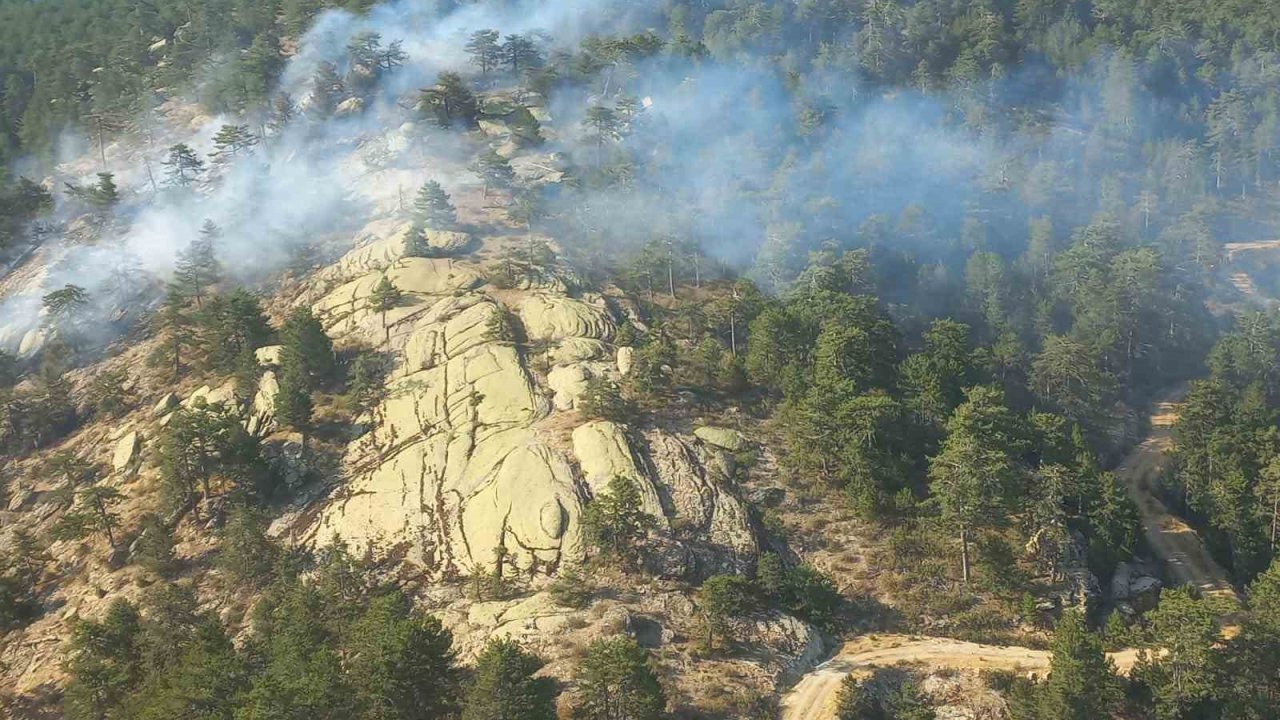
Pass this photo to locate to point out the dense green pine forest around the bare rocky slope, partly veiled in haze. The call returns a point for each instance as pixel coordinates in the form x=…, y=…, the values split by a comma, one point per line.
x=947, y=252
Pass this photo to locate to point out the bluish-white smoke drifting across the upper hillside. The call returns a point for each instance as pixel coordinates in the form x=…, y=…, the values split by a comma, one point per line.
x=753, y=166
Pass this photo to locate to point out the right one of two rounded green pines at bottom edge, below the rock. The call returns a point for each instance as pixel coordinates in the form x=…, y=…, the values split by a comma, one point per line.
x=616, y=683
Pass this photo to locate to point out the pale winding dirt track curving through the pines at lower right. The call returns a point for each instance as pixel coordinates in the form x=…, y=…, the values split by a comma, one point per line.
x=815, y=696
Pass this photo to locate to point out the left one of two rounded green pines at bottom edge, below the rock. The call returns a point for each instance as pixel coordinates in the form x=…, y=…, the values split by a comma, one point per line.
x=505, y=687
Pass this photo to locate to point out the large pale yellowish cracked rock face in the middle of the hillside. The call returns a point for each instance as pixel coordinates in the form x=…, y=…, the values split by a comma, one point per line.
x=460, y=459
